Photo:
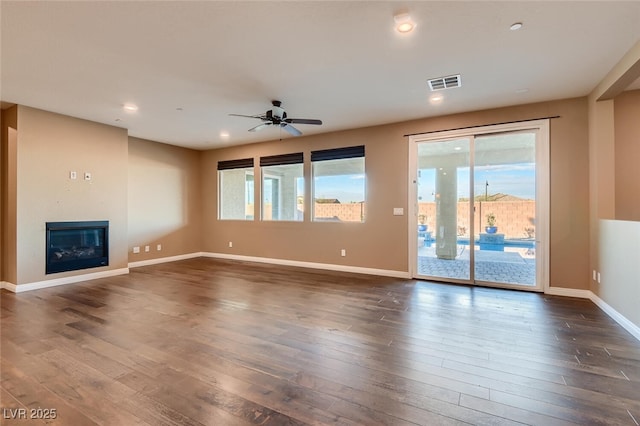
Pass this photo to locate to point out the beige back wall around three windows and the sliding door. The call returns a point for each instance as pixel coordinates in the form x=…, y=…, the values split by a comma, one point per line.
x=382, y=241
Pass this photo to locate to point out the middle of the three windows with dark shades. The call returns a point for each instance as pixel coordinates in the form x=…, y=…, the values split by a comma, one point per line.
x=283, y=187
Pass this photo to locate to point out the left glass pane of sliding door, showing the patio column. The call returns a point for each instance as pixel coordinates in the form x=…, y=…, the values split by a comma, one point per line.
x=443, y=209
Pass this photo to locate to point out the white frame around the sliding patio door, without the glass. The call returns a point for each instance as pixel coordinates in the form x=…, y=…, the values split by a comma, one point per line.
x=541, y=128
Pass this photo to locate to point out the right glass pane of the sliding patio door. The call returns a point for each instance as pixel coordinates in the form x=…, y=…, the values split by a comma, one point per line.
x=505, y=205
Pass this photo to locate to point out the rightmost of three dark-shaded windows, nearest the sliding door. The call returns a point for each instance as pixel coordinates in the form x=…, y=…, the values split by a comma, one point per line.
x=339, y=184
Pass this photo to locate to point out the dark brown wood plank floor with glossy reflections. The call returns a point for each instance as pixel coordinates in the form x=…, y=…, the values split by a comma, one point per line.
x=215, y=342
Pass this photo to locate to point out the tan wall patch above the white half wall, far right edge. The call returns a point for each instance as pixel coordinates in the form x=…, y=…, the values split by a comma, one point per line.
x=627, y=155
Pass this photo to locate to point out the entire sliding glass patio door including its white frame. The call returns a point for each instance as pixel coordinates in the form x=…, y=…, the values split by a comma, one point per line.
x=480, y=209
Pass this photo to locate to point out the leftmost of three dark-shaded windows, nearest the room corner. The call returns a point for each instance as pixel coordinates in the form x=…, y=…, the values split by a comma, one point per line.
x=235, y=189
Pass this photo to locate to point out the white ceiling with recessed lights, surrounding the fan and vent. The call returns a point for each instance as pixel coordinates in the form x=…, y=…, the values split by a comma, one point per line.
x=341, y=62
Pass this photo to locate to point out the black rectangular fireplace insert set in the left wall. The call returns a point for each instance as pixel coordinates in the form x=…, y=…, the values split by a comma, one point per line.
x=77, y=245
